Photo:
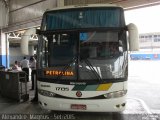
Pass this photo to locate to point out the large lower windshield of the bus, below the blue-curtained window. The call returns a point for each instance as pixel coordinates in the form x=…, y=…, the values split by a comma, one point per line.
x=96, y=55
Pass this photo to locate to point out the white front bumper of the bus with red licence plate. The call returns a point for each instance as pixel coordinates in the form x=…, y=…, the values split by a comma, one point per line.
x=94, y=105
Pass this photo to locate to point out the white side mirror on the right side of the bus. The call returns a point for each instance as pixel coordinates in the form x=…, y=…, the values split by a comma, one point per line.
x=133, y=37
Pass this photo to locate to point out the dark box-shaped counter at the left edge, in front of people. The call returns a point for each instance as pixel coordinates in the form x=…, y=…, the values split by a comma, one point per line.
x=14, y=85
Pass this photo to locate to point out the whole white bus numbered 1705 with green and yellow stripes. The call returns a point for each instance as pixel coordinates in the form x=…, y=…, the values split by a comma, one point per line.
x=82, y=58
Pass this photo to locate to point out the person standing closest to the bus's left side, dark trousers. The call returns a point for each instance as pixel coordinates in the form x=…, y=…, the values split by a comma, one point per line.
x=33, y=72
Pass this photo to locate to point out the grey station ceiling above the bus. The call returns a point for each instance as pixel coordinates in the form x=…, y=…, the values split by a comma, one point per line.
x=18, y=6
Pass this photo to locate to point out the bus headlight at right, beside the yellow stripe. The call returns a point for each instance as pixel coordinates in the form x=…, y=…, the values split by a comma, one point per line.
x=115, y=94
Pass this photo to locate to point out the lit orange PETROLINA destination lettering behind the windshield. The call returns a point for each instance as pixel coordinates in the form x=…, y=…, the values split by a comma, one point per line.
x=57, y=73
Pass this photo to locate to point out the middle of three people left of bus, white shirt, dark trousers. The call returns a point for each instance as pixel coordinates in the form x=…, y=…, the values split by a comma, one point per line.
x=25, y=67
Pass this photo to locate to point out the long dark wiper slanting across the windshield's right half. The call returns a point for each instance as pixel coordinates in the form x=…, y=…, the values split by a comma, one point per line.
x=92, y=68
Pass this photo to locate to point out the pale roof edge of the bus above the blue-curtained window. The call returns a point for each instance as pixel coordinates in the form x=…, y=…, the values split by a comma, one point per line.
x=84, y=6
